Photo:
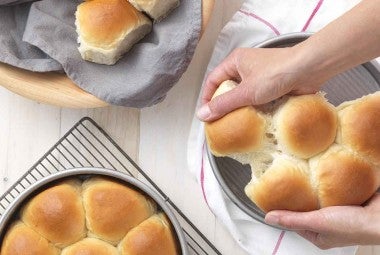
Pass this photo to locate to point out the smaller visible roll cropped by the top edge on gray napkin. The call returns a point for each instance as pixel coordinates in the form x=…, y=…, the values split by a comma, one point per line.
x=156, y=9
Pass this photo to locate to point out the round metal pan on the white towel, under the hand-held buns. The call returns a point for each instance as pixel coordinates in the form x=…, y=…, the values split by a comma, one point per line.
x=356, y=82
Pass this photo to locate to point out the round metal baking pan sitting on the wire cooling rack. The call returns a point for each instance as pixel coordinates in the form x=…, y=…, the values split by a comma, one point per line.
x=82, y=173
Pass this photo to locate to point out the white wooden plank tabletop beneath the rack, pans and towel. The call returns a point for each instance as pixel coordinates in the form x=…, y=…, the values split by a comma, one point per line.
x=155, y=137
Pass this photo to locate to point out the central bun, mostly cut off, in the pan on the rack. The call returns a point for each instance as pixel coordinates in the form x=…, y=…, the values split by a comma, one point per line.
x=90, y=246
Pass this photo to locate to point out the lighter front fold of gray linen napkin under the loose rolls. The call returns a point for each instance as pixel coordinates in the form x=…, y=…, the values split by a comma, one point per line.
x=142, y=77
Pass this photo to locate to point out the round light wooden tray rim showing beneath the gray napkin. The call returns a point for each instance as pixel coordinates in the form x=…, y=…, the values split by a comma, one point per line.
x=57, y=89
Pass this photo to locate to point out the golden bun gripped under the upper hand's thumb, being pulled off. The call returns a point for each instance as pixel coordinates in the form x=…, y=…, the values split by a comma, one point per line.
x=237, y=132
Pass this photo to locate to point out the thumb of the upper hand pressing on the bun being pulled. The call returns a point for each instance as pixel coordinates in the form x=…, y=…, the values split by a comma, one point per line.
x=224, y=103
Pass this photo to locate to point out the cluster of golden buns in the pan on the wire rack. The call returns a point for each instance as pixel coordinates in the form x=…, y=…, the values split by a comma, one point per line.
x=99, y=217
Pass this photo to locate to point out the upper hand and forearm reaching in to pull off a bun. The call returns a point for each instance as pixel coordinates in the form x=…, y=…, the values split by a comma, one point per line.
x=266, y=74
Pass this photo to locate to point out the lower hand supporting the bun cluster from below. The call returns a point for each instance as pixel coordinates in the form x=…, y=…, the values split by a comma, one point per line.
x=334, y=226
